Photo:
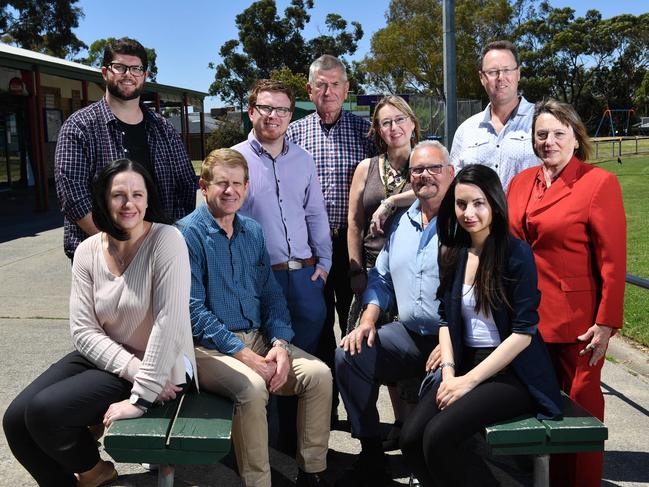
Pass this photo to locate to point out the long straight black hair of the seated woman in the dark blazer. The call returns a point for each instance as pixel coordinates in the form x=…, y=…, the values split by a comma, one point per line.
x=489, y=288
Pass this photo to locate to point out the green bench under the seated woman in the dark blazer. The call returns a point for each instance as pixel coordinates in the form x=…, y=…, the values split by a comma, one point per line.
x=578, y=431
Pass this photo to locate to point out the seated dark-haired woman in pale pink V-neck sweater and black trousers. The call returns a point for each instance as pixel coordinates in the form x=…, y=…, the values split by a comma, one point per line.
x=129, y=320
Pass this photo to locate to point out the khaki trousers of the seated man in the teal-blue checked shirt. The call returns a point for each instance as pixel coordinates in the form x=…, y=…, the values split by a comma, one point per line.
x=308, y=378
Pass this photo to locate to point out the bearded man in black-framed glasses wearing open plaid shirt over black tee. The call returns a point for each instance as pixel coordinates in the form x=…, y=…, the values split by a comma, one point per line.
x=115, y=127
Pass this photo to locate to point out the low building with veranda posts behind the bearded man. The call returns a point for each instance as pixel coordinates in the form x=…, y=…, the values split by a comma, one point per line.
x=38, y=92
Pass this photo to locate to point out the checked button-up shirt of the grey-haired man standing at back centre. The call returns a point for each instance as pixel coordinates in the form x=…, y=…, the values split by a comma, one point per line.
x=336, y=152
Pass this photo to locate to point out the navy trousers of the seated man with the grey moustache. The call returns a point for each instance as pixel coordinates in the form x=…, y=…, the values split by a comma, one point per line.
x=397, y=354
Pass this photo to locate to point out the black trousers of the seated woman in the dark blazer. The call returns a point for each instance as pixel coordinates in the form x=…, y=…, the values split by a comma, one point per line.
x=435, y=443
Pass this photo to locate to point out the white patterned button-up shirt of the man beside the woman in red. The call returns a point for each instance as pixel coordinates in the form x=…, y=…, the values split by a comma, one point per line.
x=507, y=152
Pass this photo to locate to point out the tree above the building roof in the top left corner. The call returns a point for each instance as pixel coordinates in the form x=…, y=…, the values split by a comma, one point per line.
x=41, y=25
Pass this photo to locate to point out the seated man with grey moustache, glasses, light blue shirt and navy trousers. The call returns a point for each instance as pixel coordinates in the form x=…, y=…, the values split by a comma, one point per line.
x=406, y=273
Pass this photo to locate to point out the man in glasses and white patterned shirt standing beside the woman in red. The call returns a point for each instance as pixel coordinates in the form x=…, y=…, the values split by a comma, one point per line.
x=500, y=136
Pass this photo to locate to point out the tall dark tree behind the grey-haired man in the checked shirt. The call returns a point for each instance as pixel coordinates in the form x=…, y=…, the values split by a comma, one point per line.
x=269, y=43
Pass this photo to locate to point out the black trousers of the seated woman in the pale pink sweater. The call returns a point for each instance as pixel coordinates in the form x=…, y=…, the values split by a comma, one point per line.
x=46, y=424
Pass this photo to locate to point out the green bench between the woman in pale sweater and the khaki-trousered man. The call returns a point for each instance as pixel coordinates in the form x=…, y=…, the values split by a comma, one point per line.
x=192, y=430
